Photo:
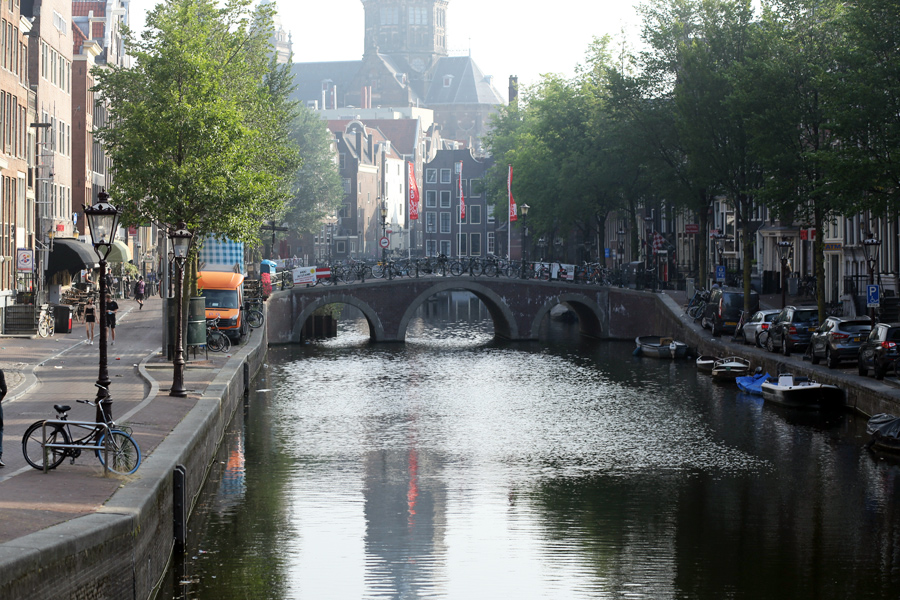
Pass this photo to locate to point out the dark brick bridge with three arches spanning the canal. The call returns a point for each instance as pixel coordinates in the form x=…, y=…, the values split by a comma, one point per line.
x=517, y=307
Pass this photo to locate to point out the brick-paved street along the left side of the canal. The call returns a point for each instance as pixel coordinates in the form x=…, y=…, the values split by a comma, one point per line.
x=41, y=372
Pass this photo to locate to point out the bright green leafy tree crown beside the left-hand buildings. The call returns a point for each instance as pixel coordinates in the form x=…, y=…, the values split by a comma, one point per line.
x=199, y=127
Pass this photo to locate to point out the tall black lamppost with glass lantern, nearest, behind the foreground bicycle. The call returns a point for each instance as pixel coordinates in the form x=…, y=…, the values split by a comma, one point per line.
x=103, y=220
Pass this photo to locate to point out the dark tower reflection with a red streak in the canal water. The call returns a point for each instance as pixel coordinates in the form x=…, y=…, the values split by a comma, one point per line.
x=405, y=510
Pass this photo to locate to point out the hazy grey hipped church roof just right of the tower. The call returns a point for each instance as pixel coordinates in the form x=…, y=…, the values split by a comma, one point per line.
x=458, y=80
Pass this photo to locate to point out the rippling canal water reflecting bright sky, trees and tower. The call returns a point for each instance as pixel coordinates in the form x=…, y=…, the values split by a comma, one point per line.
x=457, y=467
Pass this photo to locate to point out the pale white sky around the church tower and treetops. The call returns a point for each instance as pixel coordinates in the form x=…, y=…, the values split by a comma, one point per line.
x=526, y=39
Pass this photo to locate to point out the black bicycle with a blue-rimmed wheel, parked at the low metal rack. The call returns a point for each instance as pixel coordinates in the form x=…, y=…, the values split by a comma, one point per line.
x=113, y=445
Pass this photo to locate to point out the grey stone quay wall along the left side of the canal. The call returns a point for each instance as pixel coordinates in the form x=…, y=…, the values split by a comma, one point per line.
x=123, y=550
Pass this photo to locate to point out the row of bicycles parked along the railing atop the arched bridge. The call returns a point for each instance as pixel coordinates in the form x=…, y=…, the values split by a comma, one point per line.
x=350, y=271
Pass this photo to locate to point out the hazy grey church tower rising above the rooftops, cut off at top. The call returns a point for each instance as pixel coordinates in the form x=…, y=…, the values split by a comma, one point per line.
x=412, y=30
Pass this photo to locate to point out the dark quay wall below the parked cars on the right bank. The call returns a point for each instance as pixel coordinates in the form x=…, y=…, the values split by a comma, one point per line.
x=865, y=395
